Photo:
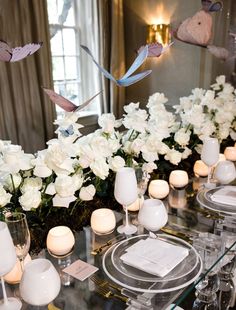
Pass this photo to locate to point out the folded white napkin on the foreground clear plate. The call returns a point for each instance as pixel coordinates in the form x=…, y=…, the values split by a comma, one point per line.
x=154, y=256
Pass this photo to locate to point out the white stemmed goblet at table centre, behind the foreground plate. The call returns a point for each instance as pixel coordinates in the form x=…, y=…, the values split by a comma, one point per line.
x=126, y=192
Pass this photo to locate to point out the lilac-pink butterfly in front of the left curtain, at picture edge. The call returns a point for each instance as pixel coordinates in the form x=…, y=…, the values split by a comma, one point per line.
x=9, y=54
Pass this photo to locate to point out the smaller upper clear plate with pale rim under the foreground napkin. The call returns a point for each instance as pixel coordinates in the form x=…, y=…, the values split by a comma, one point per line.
x=181, y=270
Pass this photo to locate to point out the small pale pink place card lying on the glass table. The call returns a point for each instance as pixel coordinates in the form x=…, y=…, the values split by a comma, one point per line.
x=80, y=270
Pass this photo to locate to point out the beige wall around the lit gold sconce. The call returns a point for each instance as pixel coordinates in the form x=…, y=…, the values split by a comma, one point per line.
x=185, y=66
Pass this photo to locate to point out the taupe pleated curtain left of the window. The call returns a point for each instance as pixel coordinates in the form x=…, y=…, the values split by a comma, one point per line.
x=26, y=115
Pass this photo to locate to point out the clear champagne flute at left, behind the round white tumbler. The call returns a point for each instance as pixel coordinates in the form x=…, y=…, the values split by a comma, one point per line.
x=18, y=227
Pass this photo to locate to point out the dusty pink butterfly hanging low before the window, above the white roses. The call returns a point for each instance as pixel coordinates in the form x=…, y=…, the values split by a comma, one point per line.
x=66, y=104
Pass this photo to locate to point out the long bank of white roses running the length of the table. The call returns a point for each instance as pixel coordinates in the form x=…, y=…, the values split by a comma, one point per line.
x=69, y=169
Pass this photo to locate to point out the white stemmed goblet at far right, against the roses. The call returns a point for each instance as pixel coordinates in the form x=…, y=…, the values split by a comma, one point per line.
x=210, y=154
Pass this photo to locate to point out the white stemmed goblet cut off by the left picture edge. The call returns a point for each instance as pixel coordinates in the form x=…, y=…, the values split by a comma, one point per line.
x=7, y=262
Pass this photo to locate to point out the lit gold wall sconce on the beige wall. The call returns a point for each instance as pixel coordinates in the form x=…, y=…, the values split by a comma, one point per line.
x=159, y=33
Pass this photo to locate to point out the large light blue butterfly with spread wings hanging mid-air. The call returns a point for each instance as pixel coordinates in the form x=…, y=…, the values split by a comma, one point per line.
x=128, y=78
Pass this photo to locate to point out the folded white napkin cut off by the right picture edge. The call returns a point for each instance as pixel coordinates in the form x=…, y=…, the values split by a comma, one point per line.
x=225, y=195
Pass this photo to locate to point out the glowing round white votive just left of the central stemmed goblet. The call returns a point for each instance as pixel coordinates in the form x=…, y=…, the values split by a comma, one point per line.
x=103, y=221
